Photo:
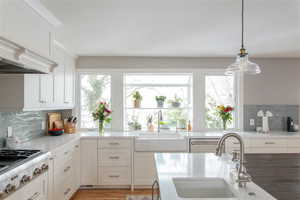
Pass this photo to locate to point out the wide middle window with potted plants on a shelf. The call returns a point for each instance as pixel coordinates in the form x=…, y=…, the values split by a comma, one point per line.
x=176, y=109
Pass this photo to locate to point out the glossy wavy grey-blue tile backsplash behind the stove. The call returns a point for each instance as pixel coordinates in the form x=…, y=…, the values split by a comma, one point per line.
x=25, y=125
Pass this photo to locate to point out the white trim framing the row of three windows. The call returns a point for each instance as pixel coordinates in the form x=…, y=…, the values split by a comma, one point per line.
x=198, y=106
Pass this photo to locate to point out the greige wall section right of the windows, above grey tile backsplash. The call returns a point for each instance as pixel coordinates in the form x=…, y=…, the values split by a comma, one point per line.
x=279, y=83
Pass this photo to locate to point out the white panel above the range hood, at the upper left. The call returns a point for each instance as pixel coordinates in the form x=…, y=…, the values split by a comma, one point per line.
x=23, y=25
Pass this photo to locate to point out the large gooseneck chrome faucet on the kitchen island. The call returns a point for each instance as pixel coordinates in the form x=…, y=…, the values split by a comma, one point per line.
x=242, y=177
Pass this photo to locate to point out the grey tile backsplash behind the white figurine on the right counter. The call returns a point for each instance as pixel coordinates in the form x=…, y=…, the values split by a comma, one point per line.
x=277, y=122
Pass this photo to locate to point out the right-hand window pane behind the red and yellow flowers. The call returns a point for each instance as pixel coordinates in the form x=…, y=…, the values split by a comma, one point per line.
x=219, y=90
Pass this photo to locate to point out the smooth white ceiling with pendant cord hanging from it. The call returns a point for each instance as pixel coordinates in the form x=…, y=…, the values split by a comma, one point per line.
x=185, y=28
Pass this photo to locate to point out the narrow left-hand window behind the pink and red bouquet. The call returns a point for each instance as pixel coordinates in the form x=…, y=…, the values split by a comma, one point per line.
x=93, y=88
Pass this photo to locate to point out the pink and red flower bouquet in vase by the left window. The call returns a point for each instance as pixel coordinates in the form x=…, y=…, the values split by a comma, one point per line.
x=102, y=114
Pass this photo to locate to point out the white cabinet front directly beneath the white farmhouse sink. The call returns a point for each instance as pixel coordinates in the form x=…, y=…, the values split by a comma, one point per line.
x=144, y=169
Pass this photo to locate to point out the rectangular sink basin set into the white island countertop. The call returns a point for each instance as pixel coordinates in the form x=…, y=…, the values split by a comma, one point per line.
x=202, y=188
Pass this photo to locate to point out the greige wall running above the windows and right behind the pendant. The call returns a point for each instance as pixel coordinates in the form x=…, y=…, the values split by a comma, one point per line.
x=279, y=82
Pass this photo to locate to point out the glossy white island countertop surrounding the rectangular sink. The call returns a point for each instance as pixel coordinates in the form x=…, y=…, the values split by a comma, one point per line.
x=172, y=165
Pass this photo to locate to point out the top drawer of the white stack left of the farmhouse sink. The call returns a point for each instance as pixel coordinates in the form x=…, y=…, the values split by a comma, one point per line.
x=114, y=143
